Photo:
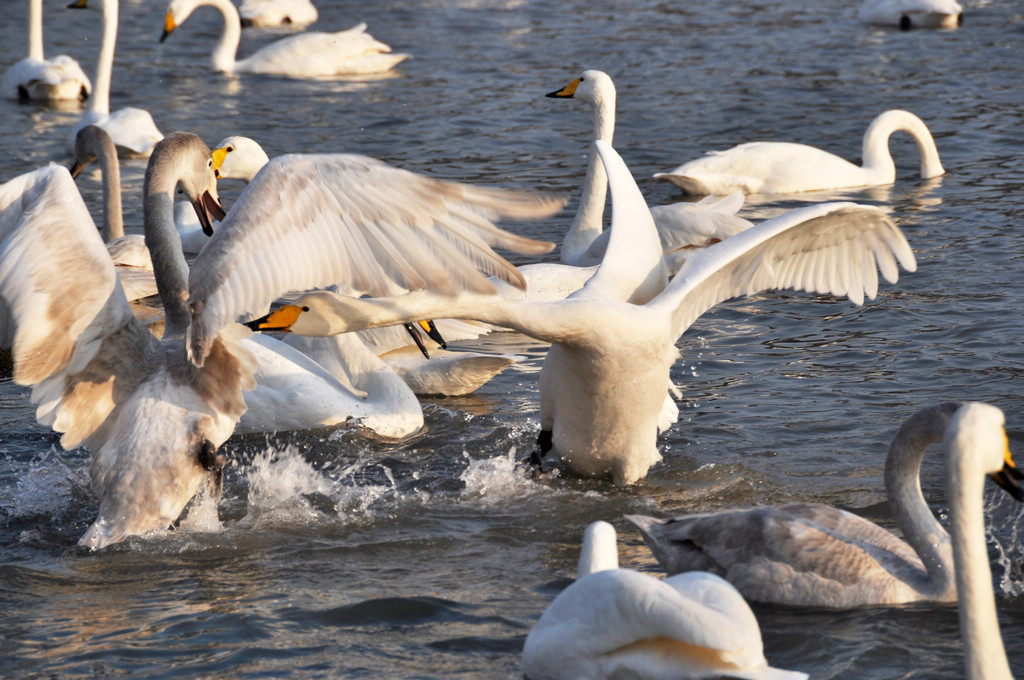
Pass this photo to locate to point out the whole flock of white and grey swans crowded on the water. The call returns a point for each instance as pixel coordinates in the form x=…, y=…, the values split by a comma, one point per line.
x=152, y=362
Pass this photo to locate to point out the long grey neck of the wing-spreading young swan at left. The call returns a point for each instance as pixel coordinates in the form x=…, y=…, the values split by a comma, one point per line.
x=169, y=267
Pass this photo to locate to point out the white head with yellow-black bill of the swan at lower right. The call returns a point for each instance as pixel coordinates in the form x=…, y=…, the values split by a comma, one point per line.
x=980, y=429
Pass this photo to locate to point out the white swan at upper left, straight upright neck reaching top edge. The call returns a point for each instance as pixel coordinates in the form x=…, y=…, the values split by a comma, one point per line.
x=134, y=131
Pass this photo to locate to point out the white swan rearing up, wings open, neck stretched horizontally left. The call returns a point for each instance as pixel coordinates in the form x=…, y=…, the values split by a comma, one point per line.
x=606, y=380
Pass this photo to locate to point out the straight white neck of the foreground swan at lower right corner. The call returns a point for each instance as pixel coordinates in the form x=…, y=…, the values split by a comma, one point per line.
x=986, y=658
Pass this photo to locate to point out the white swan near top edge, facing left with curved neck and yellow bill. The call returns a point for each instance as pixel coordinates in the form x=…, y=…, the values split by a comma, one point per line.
x=350, y=53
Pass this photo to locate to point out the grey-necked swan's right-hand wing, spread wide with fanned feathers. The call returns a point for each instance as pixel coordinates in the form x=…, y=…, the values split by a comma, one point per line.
x=319, y=221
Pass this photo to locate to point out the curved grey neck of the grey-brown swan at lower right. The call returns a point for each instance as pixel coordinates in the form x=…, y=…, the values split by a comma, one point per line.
x=903, y=479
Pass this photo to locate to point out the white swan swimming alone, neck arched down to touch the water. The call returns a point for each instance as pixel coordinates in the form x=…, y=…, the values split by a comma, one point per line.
x=780, y=167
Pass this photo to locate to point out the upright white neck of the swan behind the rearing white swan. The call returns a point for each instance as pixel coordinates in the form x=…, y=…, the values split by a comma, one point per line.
x=589, y=221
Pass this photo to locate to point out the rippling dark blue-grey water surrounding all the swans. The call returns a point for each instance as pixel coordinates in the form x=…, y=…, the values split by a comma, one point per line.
x=335, y=555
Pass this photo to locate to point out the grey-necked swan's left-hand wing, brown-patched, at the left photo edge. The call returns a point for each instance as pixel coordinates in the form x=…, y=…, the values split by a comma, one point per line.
x=62, y=309
